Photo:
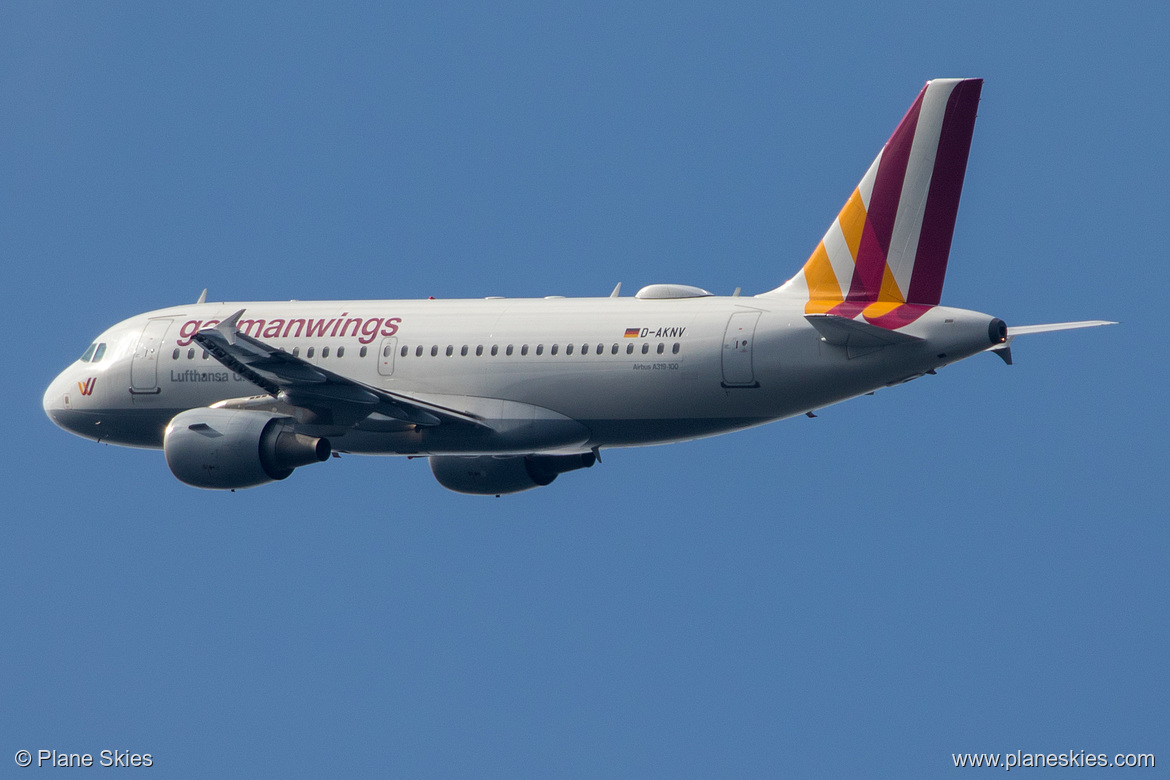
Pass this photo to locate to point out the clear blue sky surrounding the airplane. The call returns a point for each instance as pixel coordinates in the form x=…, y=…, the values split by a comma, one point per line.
x=976, y=562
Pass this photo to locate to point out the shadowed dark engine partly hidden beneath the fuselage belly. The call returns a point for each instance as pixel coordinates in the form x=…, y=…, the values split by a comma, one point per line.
x=487, y=475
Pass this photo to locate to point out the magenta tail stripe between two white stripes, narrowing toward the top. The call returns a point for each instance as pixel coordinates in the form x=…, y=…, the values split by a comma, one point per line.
x=883, y=209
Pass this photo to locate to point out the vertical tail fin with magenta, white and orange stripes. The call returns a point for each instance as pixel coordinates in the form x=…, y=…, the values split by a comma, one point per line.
x=890, y=245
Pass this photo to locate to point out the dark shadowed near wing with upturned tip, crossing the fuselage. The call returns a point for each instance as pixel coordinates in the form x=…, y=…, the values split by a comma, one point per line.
x=333, y=399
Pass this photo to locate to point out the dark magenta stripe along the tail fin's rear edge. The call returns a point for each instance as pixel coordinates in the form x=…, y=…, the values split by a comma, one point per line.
x=946, y=188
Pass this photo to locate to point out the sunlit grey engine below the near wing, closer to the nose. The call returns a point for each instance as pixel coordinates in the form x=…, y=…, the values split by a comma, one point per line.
x=224, y=450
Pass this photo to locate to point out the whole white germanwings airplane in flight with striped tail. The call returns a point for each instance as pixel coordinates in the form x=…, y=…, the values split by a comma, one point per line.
x=505, y=395
